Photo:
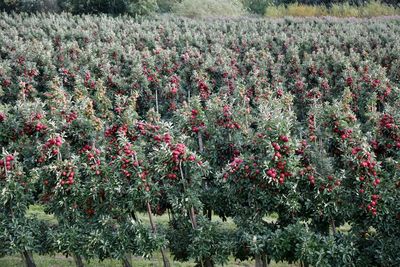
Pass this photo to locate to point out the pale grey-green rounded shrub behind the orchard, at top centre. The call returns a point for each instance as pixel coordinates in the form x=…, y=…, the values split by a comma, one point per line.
x=209, y=8
